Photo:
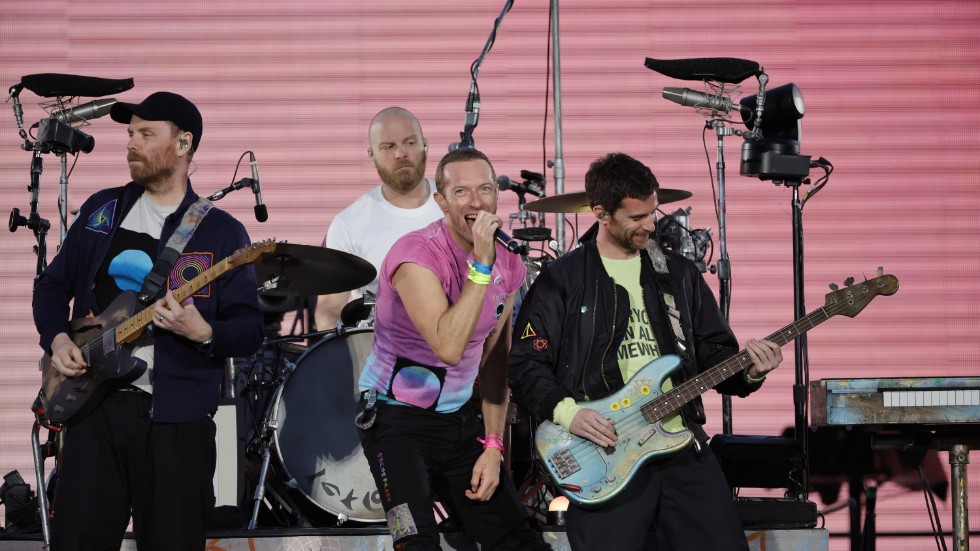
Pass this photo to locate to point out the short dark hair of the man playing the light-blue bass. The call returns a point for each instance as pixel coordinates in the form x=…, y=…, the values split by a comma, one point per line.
x=615, y=177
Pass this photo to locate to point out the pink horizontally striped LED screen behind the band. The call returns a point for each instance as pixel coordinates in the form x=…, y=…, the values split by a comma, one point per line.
x=891, y=89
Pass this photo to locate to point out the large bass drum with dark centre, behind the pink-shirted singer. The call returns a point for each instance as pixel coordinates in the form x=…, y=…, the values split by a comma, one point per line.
x=316, y=439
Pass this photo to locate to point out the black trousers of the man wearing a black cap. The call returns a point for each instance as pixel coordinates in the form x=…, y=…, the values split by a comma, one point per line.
x=118, y=463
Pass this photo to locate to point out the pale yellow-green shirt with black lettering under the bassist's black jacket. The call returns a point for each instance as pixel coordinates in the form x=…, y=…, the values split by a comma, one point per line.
x=639, y=346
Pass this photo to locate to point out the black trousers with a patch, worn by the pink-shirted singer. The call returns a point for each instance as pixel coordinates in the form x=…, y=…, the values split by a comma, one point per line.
x=416, y=456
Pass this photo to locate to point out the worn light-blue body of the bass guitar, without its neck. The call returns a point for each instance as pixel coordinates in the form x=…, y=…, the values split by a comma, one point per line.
x=590, y=475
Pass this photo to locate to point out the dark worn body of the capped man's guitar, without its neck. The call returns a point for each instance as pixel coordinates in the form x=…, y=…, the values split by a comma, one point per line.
x=110, y=365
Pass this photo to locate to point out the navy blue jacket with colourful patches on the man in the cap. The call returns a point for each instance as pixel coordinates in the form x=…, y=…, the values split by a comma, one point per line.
x=186, y=378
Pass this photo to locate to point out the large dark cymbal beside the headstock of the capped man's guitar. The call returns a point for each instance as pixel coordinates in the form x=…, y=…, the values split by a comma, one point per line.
x=304, y=270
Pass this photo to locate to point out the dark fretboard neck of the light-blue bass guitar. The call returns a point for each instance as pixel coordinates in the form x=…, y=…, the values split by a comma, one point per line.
x=691, y=389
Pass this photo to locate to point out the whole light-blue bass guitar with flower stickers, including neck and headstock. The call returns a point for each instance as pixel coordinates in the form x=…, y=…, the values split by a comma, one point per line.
x=590, y=475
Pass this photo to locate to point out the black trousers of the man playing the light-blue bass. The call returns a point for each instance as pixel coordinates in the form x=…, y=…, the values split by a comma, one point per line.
x=682, y=503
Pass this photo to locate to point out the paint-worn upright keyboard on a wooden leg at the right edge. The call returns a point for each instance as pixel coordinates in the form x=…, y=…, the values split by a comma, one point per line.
x=939, y=412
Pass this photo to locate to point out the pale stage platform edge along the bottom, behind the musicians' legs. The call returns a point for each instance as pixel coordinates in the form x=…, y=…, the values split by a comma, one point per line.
x=377, y=539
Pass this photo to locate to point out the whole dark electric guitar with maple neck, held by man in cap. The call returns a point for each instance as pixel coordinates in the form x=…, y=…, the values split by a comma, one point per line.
x=108, y=341
